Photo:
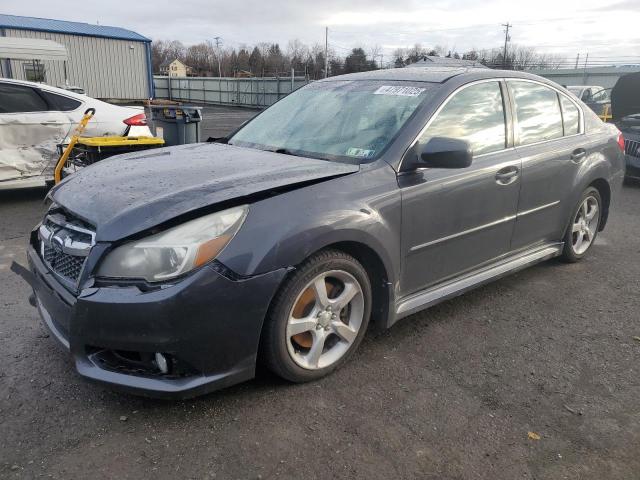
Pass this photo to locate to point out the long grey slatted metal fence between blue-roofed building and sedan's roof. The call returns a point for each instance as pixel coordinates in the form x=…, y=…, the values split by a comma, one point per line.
x=244, y=92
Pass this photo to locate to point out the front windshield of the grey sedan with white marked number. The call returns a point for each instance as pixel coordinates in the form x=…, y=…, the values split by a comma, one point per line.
x=336, y=120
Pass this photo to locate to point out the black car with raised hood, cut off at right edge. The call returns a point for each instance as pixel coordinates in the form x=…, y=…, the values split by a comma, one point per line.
x=625, y=108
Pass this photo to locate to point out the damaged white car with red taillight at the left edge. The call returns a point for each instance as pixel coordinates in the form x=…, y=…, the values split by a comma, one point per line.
x=36, y=118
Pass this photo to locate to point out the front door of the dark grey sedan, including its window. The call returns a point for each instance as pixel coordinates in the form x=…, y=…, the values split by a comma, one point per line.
x=454, y=220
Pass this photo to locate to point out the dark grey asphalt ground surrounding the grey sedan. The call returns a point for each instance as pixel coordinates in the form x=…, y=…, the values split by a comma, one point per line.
x=450, y=393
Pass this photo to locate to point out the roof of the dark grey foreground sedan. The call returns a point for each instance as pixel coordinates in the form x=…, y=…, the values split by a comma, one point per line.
x=433, y=74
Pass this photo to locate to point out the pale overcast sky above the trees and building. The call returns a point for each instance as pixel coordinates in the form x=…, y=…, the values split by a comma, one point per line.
x=603, y=28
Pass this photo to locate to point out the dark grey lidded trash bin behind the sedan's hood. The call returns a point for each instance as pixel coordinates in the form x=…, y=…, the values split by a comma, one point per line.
x=176, y=124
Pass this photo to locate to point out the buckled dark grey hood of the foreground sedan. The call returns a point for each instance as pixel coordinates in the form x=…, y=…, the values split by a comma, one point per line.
x=131, y=193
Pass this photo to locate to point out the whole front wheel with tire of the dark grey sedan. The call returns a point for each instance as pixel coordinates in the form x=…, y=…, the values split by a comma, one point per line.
x=318, y=318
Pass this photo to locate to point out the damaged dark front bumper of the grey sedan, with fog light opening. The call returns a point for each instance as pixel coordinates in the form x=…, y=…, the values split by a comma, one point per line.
x=206, y=328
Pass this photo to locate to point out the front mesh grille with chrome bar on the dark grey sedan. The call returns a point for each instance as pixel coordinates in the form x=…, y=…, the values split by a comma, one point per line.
x=64, y=246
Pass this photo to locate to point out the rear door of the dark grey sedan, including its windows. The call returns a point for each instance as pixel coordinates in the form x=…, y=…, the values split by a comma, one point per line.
x=549, y=138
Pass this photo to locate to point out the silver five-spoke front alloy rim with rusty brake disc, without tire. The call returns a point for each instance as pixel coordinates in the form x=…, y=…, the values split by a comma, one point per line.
x=325, y=320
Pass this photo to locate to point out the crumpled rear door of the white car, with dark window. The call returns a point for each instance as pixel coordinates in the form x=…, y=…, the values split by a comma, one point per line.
x=30, y=131
